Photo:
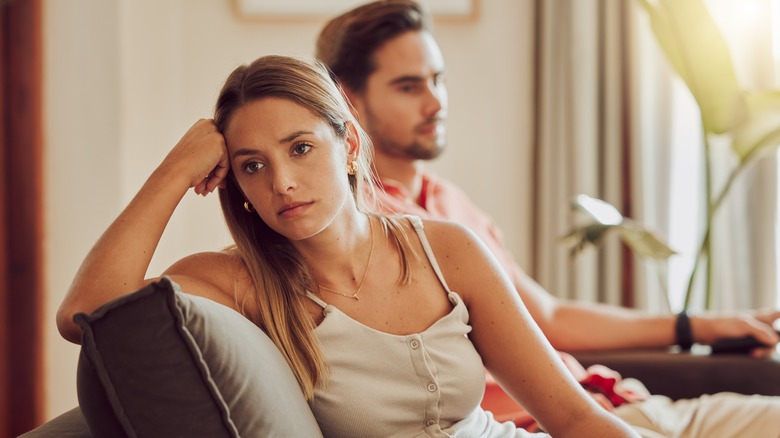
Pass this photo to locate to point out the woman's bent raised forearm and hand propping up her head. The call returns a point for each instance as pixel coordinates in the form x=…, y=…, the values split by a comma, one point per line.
x=117, y=263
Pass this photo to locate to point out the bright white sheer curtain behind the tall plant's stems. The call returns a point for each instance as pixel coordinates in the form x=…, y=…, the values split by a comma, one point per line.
x=669, y=135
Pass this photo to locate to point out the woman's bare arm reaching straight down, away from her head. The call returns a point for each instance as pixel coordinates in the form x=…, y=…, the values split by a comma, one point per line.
x=512, y=346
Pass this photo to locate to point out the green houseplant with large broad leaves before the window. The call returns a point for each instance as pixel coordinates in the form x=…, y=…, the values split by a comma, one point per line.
x=749, y=120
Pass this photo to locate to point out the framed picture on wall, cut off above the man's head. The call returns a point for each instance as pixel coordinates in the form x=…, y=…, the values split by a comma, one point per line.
x=275, y=10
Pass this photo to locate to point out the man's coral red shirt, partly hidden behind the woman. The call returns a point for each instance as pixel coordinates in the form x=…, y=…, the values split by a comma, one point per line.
x=442, y=200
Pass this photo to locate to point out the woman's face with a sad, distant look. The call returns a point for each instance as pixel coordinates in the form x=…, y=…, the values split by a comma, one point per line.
x=290, y=165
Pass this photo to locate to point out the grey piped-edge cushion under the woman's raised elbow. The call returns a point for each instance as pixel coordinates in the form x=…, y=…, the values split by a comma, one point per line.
x=159, y=362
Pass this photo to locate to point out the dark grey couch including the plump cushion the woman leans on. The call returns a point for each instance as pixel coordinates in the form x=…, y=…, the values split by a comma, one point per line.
x=159, y=362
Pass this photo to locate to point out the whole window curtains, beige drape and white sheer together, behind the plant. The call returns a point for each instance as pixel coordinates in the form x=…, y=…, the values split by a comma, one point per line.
x=615, y=122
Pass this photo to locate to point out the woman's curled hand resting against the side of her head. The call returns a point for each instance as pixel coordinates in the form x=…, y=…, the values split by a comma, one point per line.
x=201, y=156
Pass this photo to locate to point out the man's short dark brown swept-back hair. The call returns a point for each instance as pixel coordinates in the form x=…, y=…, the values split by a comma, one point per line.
x=348, y=42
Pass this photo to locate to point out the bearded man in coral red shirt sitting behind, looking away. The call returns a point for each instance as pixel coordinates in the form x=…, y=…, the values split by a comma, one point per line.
x=384, y=56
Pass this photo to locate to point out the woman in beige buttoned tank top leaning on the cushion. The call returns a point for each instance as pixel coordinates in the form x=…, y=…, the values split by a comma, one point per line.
x=357, y=303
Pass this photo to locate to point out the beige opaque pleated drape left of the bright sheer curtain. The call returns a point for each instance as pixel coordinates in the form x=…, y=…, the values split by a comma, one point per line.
x=584, y=143
